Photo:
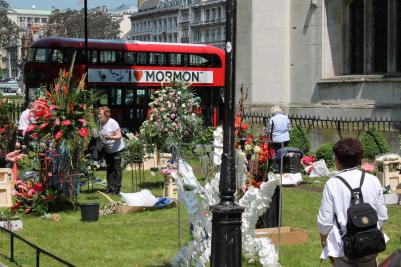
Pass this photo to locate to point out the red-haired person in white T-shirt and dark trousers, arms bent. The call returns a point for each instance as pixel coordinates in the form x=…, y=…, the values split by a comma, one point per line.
x=110, y=134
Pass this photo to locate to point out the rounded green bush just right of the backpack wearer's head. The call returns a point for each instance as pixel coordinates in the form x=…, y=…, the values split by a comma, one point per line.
x=374, y=143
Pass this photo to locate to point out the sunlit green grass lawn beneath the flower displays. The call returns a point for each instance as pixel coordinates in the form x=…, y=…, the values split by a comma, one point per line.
x=150, y=238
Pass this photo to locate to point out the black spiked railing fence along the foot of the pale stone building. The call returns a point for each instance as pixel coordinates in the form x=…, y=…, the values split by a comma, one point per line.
x=339, y=124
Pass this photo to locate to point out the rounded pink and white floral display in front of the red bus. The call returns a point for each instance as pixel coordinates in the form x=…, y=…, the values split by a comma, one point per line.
x=172, y=116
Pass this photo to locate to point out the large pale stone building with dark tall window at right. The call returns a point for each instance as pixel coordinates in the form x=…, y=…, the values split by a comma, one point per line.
x=326, y=58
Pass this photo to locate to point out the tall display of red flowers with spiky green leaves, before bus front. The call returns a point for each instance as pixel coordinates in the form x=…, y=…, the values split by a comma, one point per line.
x=62, y=115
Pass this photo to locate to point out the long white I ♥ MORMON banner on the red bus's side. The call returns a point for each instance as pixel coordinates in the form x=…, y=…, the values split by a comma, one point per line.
x=148, y=76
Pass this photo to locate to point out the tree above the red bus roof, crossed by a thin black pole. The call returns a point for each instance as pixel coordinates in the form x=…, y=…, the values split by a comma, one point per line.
x=70, y=23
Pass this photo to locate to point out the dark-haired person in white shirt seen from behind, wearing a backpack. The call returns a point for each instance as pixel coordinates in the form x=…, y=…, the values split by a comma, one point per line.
x=336, y=200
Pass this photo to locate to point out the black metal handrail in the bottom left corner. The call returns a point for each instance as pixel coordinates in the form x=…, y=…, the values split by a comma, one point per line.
x=37, y=249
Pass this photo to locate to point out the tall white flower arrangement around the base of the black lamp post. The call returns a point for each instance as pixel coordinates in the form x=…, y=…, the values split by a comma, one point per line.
x=256, y=201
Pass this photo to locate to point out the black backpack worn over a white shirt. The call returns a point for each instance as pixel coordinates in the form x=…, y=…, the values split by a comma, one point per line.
x=362, y=237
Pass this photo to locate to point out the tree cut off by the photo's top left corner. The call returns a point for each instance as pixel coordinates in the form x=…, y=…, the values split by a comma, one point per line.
x=8, y=29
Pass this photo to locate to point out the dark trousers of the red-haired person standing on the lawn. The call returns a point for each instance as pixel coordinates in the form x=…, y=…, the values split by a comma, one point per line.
x=114, y=171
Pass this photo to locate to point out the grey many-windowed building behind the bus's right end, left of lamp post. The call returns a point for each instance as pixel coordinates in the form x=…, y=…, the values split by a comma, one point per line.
x=180, y=21
